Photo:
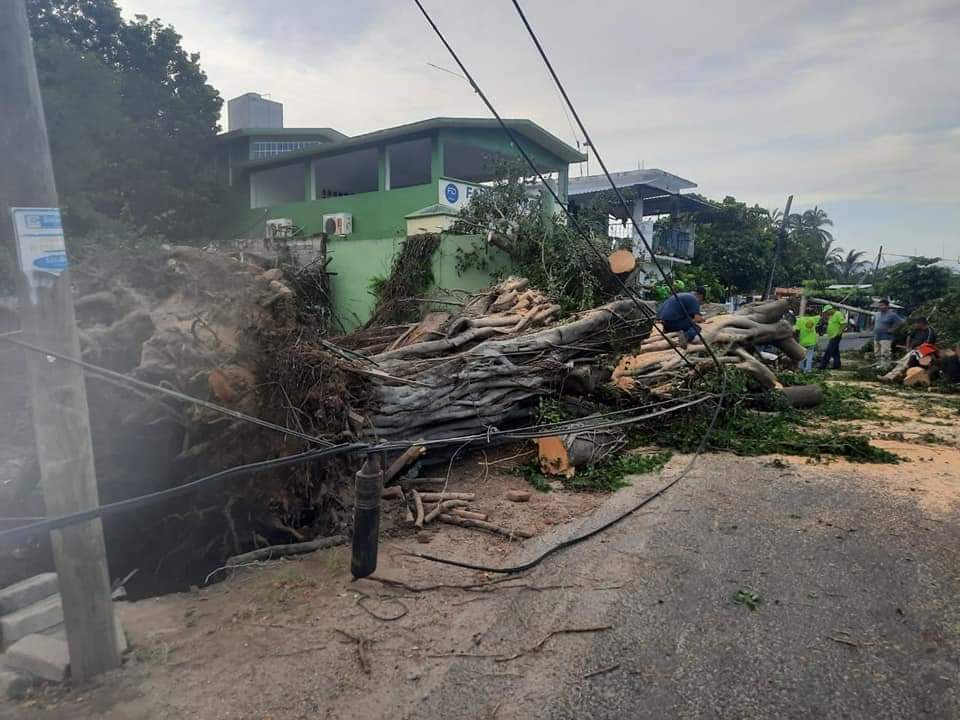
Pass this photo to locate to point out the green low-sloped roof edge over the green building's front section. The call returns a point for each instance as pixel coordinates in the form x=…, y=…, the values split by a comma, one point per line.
x=524, y=128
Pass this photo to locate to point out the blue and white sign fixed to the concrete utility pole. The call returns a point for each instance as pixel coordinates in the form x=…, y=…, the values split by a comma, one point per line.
x=41, y=250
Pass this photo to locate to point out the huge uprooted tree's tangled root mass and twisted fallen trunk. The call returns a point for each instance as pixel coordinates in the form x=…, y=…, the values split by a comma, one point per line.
x=215, y=327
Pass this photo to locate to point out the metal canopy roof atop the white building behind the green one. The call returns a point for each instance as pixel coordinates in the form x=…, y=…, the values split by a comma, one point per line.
x=659, y=190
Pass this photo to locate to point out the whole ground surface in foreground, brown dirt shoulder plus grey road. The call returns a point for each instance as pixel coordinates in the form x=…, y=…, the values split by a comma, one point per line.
x=854, y=569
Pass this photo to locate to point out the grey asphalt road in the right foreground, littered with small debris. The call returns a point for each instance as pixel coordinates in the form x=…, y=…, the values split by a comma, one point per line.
x=858, y=613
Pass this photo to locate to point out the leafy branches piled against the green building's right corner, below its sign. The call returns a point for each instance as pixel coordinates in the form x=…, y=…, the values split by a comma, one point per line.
x=543, y=249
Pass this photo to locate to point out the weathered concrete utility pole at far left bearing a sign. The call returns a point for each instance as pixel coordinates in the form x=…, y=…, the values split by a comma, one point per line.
x=60, y=415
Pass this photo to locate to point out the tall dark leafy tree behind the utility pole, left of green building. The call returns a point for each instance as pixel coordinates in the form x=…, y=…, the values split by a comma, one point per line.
x=130, y=118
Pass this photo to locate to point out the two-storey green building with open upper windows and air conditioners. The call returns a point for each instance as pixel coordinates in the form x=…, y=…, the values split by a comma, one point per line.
x=366, y=193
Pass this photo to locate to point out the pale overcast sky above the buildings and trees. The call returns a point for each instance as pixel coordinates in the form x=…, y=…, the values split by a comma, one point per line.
x=851, y=106
